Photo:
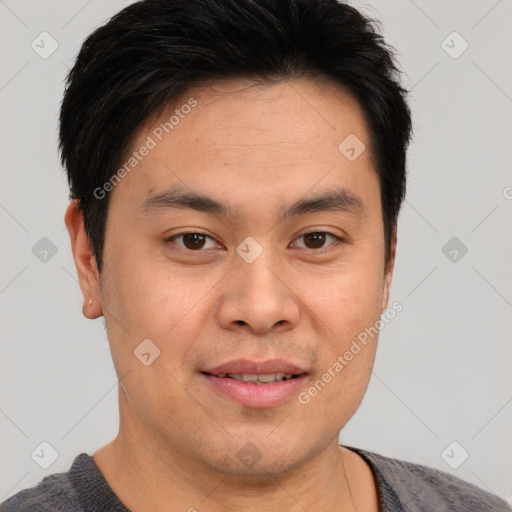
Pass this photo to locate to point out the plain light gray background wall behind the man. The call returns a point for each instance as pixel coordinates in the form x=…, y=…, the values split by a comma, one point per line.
x=443, y=365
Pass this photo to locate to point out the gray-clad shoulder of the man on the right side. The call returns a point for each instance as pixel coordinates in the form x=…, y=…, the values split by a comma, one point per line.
x=405, y=486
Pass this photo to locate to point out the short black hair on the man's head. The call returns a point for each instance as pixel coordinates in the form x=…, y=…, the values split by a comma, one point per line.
x=129, y=69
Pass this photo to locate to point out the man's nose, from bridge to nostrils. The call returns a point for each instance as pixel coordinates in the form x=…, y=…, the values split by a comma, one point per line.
x=257, y=298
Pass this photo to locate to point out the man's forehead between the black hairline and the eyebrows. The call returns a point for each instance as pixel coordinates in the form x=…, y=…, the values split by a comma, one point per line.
x=281, y=139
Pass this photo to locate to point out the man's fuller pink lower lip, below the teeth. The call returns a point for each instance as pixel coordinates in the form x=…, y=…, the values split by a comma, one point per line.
x=256, y=395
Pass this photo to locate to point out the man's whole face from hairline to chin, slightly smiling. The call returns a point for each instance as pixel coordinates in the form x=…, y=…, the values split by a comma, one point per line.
x=244, y=242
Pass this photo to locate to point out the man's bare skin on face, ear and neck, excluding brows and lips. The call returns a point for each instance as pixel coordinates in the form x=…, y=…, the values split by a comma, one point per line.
x=254, y=148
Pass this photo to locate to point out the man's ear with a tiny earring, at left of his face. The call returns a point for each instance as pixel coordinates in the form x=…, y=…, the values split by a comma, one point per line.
x=85, y=262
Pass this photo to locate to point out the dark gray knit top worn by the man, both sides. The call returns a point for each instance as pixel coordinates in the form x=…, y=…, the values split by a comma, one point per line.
x=402, y=487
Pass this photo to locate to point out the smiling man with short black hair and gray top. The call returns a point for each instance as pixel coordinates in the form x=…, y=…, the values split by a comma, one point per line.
x=236, y=172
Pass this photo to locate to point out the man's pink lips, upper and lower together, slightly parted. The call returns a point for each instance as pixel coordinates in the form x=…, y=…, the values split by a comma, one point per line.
x=253, y=395
